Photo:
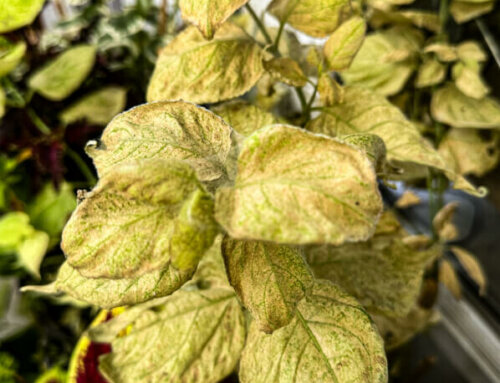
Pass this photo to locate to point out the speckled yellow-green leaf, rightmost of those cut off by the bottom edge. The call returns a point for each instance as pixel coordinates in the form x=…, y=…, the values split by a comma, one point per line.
x=331, y=340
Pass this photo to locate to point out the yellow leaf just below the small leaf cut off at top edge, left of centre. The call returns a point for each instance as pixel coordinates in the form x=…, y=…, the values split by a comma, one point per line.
x=193, y=69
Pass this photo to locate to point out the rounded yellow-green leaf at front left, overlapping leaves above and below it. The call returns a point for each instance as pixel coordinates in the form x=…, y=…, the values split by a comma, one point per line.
x=128, y=225
